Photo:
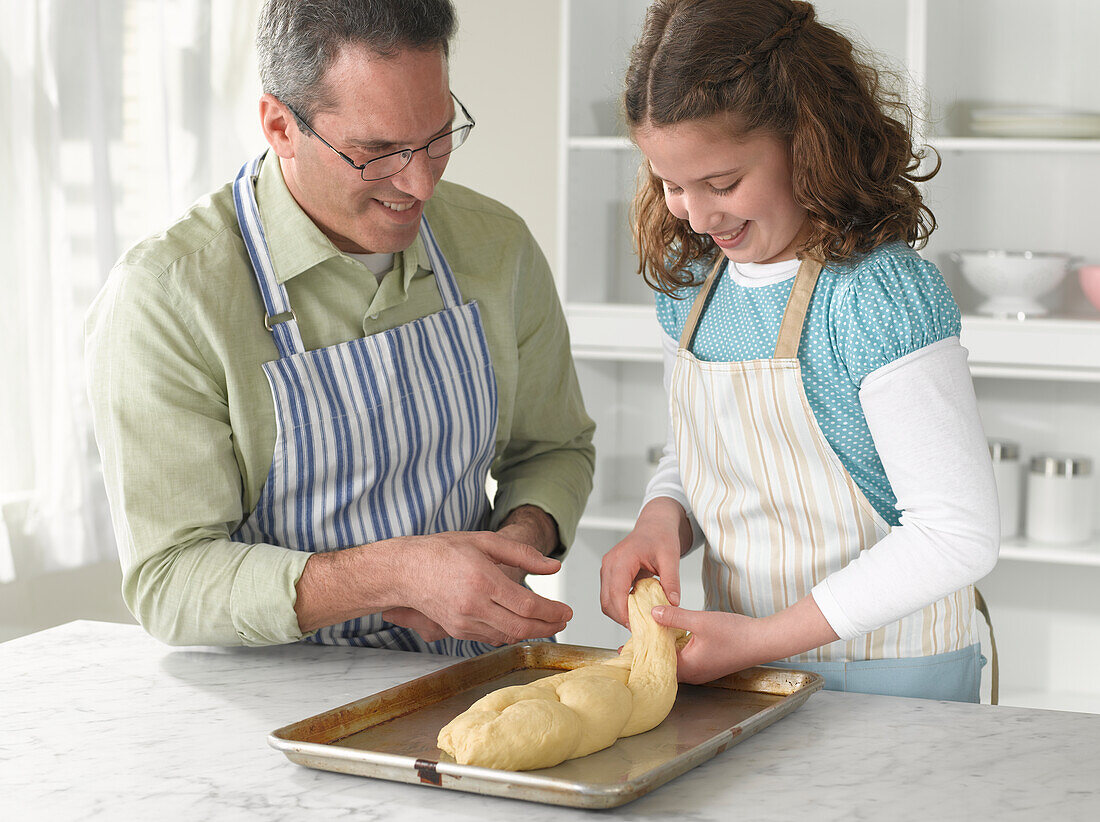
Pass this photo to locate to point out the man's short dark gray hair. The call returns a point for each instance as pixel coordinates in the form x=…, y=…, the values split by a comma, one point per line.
x=298, y=41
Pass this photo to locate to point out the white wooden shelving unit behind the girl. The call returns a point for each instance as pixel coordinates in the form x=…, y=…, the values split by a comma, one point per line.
x=1038, y=380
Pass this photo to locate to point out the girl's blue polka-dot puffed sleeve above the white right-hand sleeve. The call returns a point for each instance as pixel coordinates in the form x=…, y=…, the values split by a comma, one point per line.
x=889, y=305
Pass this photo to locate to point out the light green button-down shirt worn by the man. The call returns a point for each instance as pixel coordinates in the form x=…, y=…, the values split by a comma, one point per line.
x=184, y=415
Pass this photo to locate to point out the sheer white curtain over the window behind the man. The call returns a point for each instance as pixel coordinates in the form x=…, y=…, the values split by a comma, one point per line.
x=115, y=116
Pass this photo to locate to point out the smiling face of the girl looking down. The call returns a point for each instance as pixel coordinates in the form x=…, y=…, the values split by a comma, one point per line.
x=738, y=191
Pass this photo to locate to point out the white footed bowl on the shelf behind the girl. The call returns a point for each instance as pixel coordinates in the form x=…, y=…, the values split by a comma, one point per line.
x=1014, y=281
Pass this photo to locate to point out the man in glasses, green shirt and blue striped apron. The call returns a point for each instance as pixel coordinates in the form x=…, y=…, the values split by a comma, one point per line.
x=299, y=388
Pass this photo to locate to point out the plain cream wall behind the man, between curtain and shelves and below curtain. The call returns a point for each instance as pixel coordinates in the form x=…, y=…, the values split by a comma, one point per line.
x=505, y=70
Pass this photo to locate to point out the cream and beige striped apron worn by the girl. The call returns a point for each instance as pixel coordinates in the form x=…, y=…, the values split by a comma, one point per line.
x=778, y=510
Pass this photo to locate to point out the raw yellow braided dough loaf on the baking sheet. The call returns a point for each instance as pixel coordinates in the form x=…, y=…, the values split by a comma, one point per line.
x=578, y=713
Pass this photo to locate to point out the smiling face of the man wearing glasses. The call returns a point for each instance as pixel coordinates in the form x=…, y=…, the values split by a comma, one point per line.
x=382, y=105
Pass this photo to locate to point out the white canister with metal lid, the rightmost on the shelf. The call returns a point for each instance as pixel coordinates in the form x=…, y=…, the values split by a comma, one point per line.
x=1060, y=499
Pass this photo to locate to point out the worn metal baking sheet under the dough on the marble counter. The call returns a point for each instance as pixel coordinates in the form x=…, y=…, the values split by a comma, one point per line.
x=392, y=735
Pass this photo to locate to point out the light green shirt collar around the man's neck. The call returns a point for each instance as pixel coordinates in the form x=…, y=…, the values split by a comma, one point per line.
x=299, y=245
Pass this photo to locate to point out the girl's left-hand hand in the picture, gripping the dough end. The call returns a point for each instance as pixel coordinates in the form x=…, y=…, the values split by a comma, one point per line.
x=653, y=550
